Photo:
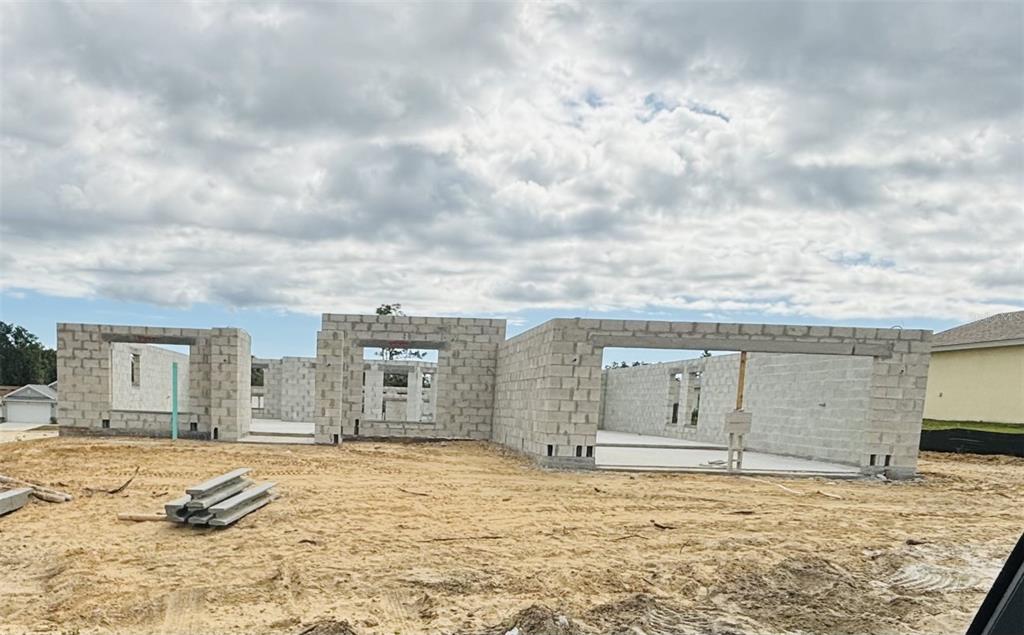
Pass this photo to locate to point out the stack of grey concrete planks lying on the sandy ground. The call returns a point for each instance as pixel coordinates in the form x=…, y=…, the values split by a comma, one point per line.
x=220, y=501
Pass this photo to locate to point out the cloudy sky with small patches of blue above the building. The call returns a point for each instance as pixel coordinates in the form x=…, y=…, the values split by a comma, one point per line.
x=781, y=162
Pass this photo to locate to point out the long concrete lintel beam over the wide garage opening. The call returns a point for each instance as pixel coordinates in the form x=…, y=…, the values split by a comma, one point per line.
x=739, y=344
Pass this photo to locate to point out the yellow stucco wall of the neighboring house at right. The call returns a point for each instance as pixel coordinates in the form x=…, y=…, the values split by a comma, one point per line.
x=979, y=385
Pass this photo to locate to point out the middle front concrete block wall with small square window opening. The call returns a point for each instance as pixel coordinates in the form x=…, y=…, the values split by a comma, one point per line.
x=467, y=361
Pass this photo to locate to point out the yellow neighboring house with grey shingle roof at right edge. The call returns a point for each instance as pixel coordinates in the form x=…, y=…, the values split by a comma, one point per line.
x=977, y=372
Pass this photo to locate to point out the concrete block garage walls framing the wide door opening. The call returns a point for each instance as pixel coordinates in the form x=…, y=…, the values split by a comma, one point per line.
x=572, y=351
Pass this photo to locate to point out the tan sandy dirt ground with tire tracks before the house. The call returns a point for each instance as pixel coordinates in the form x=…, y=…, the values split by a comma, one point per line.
x=462, y=538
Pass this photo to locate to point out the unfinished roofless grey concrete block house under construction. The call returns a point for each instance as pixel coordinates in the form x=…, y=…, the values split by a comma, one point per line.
x=813, y=400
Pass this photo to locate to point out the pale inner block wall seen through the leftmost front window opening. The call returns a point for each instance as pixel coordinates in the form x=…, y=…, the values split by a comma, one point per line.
x=154, y=390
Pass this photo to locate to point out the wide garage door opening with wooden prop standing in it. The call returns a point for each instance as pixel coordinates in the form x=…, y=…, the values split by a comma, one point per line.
x=684, y=405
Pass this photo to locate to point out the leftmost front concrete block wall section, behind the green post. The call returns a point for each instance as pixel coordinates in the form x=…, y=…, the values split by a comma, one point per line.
x=84, y=374
